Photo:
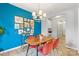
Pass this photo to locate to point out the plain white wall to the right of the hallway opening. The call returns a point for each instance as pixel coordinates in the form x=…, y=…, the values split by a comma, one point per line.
x=71, y=38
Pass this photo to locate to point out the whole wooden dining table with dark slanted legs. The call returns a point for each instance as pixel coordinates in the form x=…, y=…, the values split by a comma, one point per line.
x=37, y=42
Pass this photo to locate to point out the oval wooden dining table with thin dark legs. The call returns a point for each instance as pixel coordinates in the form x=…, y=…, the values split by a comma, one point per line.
x=37, y=42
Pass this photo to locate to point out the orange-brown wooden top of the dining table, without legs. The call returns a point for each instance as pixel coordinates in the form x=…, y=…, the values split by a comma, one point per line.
x=37, y=41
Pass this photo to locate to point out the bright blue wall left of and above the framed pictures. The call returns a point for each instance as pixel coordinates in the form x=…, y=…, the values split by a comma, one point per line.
x=7, y=12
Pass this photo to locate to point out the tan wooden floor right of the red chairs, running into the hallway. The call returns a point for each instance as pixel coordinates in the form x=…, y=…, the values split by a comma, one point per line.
x=67, y=51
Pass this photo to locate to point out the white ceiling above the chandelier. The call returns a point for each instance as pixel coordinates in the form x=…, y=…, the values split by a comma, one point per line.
x=49, y=8
